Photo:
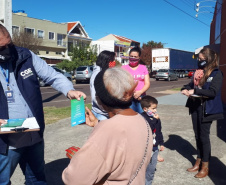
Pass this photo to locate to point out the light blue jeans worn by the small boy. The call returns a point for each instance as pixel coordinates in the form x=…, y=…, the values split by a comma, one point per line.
x=150, y=172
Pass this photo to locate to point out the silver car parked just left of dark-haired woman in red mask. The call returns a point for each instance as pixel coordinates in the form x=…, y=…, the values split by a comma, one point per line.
x=83, y=73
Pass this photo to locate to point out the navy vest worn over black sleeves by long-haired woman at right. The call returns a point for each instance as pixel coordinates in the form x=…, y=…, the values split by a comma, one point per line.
x=213, y=105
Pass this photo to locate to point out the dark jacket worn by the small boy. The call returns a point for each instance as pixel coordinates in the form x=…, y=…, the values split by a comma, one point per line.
x=155, y=124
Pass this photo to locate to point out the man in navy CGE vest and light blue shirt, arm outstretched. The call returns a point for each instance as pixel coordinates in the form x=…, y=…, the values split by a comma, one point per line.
x=20, y=97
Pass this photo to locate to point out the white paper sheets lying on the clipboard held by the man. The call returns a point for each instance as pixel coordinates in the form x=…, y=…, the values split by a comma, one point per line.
x=30, y=123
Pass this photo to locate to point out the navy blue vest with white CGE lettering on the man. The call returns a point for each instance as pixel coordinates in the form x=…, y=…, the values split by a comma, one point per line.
x=30, y=90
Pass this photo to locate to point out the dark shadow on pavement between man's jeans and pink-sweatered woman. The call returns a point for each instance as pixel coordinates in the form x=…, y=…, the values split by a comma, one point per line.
x=54, y=169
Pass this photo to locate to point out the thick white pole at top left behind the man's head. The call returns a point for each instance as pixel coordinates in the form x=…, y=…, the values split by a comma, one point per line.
x=6, y=14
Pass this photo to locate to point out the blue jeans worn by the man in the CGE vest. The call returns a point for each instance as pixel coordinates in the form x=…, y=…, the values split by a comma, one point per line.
x=31, y=160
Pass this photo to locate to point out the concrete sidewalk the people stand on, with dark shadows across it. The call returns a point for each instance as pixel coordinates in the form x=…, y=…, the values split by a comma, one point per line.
x=179, y=153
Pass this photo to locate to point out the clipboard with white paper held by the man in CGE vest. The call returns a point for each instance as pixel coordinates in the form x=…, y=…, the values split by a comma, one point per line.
x=28, y=125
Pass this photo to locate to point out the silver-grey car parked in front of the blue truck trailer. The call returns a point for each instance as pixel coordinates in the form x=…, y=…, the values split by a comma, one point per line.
x=166, y=74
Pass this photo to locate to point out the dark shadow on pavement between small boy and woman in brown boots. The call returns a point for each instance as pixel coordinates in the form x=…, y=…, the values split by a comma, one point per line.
x=182, y=146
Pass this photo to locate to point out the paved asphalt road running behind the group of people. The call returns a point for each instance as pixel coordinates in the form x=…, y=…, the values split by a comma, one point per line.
x=51, y=97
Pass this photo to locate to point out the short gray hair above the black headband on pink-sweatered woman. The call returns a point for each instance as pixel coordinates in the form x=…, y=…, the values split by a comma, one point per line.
x=119, y=82
